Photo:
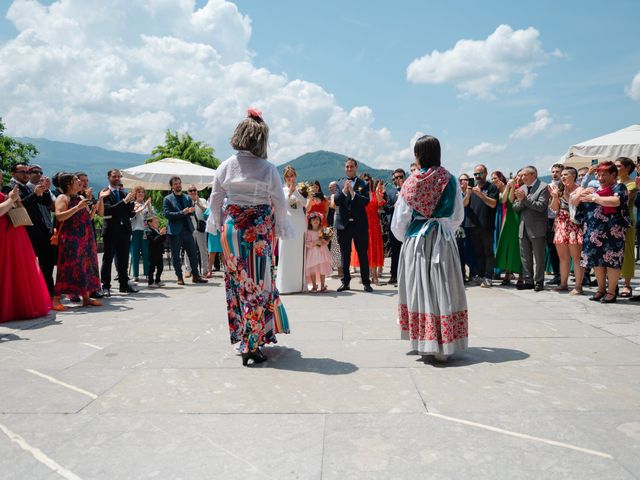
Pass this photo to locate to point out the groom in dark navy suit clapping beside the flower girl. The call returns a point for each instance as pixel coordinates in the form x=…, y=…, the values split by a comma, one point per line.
x=351, y=198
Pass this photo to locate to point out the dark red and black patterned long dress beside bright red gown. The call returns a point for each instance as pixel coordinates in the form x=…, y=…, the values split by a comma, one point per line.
x=78, y=272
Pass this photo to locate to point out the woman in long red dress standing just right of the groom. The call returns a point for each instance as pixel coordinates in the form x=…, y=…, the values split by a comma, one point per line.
x=375, y=252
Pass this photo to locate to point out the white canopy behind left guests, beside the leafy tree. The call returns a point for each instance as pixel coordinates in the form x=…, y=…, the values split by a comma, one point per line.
x=156, y=175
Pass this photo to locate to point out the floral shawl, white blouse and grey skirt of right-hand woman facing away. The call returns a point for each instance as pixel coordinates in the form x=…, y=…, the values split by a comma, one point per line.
x=432, y=304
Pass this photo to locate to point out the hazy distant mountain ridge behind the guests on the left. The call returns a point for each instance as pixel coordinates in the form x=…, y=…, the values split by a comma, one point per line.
x=71, y=157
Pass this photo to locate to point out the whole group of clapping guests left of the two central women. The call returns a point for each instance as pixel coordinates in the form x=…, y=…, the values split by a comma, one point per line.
x=48, y=240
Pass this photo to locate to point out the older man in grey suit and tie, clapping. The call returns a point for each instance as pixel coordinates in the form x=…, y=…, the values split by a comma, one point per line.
x=532, y=203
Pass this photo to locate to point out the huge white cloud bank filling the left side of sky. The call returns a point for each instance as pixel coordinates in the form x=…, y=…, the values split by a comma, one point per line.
x=119, y=73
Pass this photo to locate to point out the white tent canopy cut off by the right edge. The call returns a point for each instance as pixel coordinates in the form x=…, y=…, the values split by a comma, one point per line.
x=623, y=143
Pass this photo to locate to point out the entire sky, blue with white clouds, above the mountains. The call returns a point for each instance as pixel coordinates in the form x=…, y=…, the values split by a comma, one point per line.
x=502, y=83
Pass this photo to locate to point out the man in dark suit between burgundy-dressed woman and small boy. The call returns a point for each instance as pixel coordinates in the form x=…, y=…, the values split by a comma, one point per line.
x=116, y=235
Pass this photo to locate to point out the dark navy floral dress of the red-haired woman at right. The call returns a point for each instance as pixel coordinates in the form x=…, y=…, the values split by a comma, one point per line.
x=604, y=234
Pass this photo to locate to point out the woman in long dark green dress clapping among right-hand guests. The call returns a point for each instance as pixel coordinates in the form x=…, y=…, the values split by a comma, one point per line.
x=508, y=251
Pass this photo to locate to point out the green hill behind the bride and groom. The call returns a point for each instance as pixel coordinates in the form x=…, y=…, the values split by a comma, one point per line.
x=328, y=166
